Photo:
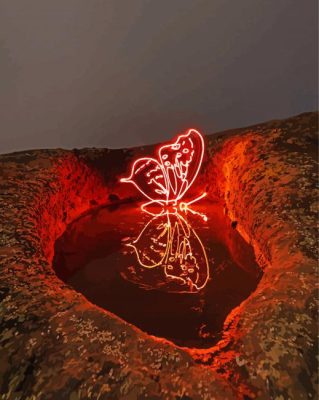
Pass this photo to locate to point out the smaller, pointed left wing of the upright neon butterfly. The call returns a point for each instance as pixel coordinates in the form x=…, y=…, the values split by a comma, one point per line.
x=147, y=174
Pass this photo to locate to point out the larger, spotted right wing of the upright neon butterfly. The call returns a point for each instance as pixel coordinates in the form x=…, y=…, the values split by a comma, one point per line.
x=181, y=162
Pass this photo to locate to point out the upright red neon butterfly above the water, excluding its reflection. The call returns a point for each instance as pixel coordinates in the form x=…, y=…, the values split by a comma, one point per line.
x=166, y=180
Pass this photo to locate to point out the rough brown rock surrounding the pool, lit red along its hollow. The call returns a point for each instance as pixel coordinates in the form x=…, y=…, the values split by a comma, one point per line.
x=54, y=344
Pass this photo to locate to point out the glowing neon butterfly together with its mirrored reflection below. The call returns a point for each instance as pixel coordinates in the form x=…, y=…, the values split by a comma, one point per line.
x=168, y=241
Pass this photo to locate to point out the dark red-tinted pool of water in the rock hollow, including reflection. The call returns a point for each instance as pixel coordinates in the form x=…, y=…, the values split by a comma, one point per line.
x=173, y=276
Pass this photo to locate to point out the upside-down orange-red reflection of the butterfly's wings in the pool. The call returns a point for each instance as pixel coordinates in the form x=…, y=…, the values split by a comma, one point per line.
x=169, y=242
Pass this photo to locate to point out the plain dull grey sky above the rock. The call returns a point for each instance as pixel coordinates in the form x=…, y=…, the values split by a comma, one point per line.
x=114, y=73
